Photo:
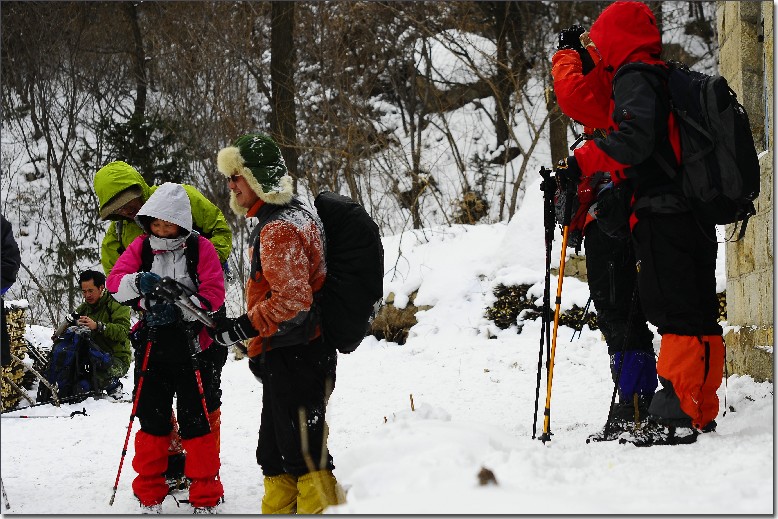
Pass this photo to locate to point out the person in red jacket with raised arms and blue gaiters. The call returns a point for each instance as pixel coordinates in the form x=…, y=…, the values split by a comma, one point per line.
x=582, y=88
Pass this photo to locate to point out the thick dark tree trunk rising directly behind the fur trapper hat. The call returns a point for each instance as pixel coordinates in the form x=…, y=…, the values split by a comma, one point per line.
x=283, y=120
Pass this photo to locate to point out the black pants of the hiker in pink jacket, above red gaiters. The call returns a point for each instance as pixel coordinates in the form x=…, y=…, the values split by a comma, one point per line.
x=170, y=372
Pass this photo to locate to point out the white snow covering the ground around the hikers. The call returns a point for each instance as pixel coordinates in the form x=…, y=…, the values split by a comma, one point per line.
x=473, y=389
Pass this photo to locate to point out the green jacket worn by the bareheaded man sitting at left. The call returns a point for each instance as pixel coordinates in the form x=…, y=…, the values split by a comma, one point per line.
x=115, y=339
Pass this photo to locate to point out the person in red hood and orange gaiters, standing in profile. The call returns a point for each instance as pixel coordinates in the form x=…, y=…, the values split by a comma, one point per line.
x=675, y=254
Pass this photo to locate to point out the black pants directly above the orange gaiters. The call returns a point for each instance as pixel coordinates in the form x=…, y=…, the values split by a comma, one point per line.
x=677, y=279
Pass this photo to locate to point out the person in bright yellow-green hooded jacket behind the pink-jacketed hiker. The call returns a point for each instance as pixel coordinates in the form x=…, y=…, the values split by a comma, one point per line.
x=122, y=191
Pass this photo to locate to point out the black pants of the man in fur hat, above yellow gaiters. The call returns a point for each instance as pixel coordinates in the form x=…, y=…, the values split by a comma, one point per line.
x=294, y=377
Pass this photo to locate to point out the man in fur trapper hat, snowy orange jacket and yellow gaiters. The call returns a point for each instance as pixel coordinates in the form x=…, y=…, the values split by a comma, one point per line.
x=286, y=351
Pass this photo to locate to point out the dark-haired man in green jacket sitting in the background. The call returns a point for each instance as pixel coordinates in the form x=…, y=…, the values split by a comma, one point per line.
x=109, y=323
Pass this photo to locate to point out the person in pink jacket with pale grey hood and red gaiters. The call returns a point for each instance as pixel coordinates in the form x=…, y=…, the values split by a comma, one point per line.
x=162, y=252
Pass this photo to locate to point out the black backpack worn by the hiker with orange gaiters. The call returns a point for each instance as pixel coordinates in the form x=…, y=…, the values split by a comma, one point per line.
x=719, y=170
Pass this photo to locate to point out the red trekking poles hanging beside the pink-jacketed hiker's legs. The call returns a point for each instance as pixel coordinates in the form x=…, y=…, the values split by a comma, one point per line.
x=176, y=293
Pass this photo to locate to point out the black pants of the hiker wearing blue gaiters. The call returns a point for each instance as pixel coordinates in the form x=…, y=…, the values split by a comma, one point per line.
x=610, y=268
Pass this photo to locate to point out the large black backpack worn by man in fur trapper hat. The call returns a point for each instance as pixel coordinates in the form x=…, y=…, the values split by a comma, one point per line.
x=355, y=270
